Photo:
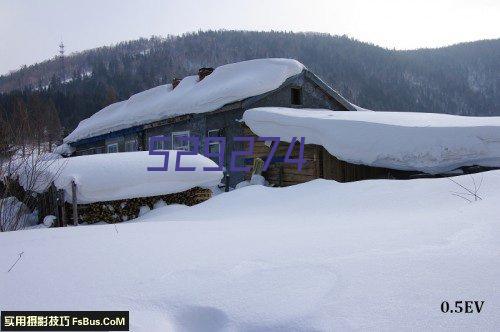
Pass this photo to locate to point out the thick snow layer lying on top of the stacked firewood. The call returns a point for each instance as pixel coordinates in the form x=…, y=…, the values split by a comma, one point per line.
x=113, y=176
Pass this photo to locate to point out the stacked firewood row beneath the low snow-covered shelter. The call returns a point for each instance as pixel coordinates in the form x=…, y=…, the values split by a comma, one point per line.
x=126, y=209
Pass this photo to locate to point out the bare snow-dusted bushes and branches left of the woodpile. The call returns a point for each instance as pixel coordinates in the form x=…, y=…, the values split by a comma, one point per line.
x=26, y=139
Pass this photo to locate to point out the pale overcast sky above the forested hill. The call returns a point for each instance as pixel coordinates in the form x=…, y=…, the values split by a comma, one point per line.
x=31, y=30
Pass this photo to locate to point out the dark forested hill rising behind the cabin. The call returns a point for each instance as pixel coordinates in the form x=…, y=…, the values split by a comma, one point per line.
x=460, y=79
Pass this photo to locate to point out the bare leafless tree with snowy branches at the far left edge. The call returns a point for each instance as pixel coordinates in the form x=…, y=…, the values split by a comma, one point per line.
x=24, y=168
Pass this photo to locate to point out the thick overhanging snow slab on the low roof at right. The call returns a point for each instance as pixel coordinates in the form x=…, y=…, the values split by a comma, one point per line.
x=427, y=142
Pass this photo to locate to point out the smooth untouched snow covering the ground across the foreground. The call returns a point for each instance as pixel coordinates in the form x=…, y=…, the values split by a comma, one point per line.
x=320, y=256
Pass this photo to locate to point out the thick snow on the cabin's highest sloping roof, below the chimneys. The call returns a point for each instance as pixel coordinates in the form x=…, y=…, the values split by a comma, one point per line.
x=227, y=84
